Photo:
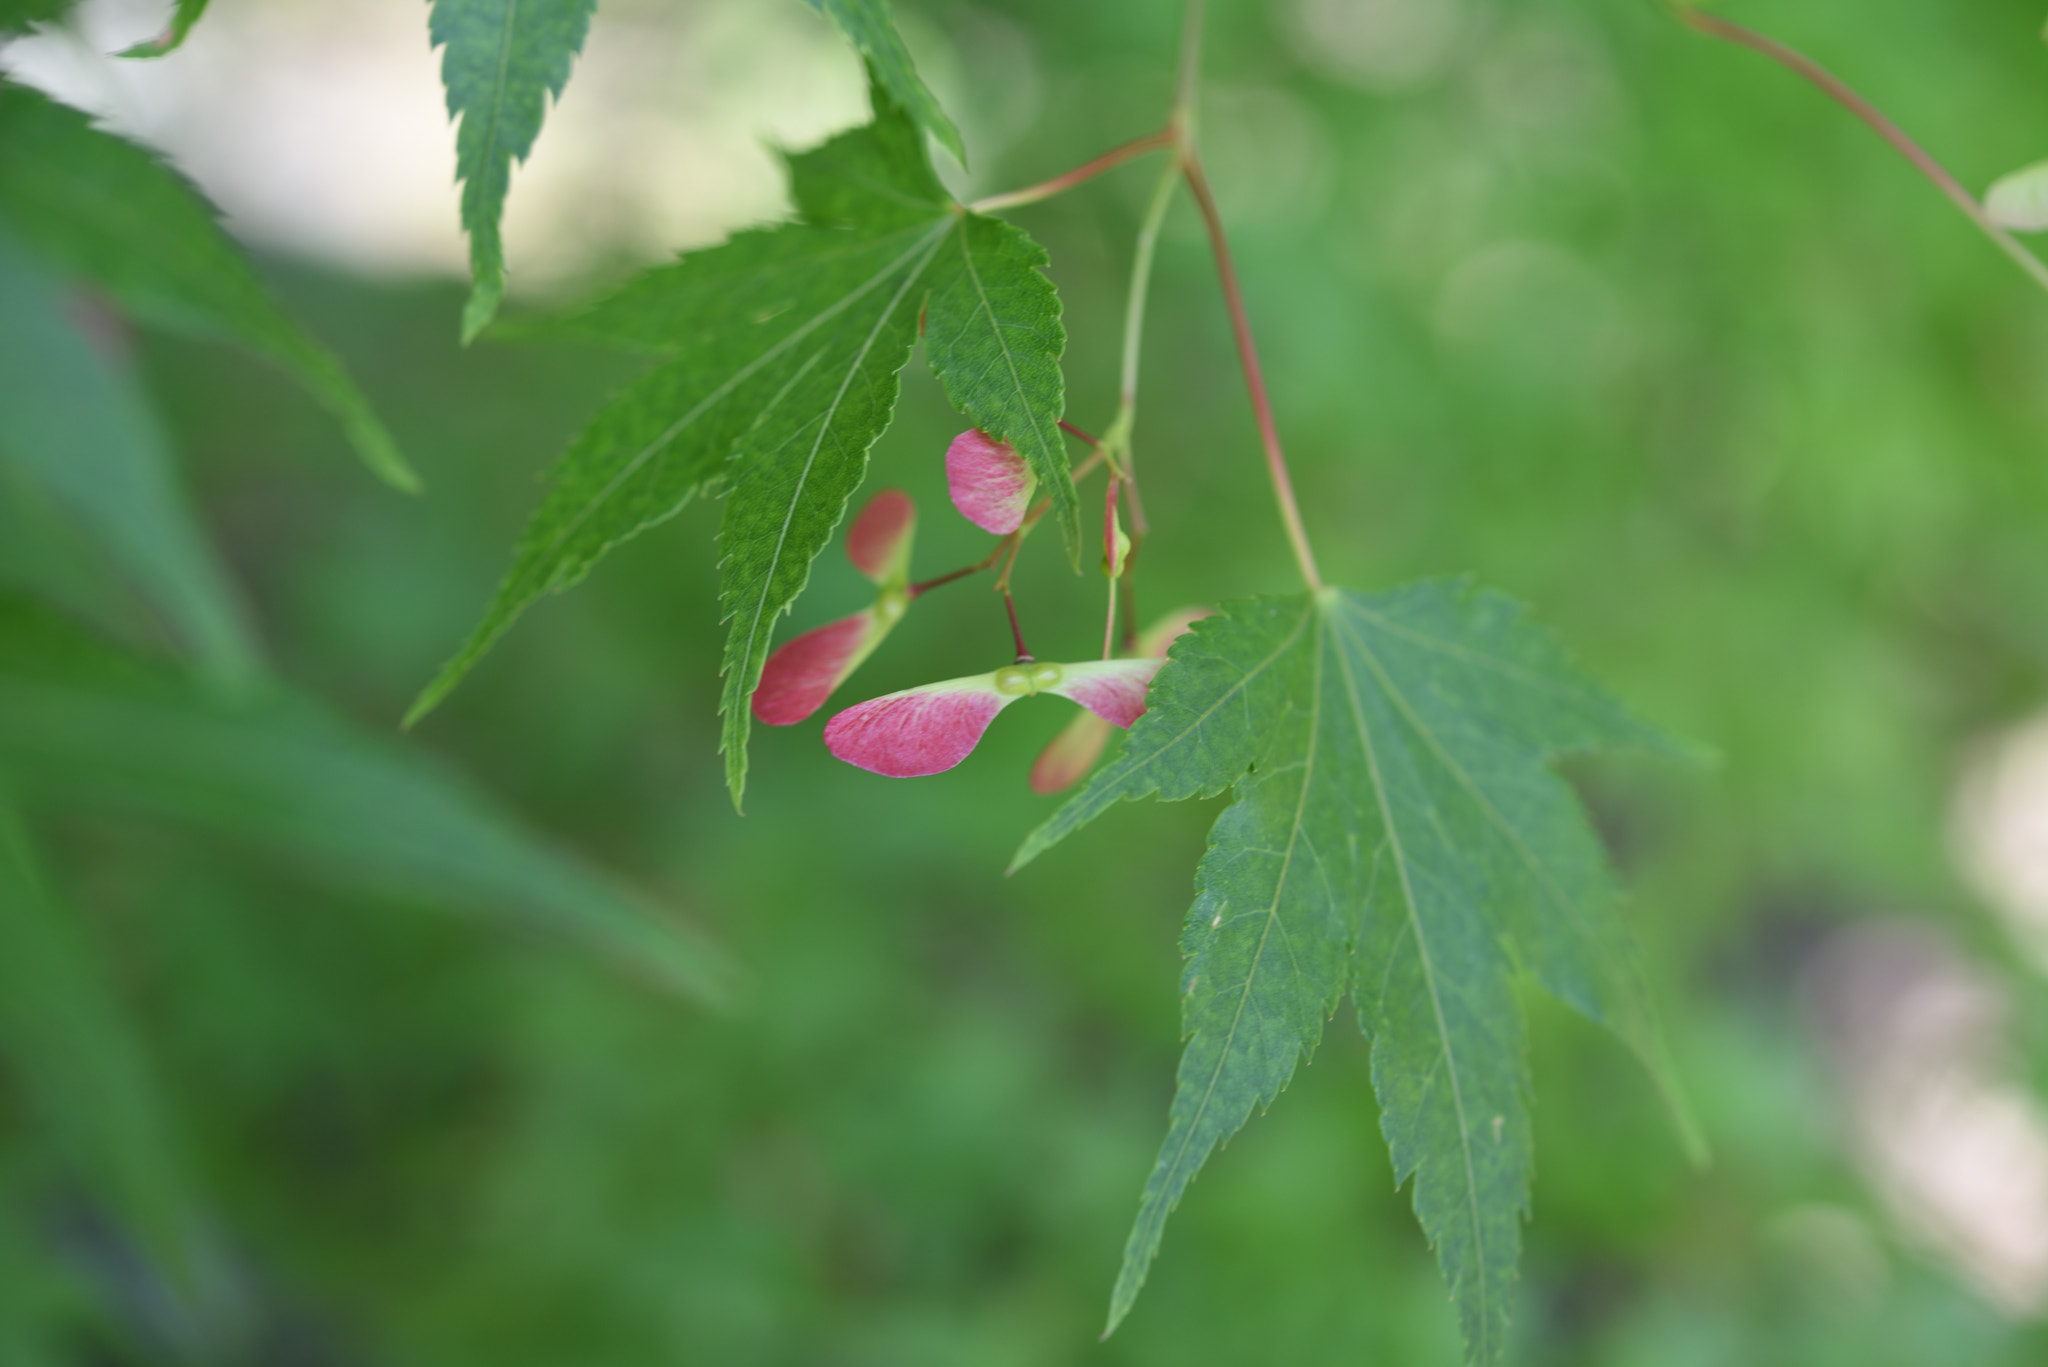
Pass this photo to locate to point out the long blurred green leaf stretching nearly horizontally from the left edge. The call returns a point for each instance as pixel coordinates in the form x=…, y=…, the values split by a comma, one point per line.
x=83, y=727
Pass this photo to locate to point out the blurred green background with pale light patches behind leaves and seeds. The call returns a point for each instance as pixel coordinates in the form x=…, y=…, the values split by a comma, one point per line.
x=1551, y=292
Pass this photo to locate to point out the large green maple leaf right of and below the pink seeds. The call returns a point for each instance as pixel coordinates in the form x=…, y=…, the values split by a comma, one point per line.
x=1396, y=833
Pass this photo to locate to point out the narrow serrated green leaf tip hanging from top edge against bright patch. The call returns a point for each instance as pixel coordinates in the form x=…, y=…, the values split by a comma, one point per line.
x=501, y=65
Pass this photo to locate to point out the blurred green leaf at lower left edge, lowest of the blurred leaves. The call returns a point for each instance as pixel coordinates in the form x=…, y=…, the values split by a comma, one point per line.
x=87, y=1073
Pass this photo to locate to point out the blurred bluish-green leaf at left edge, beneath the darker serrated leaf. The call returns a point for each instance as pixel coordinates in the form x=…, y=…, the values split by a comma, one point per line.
x=77, y=427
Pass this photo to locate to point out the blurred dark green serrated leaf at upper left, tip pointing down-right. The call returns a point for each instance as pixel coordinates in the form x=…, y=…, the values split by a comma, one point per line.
x=110, y=212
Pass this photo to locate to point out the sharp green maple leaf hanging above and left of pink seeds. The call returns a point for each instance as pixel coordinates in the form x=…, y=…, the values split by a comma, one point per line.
x=779, y=358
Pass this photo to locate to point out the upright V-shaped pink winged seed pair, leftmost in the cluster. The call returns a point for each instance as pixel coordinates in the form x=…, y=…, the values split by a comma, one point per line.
x=804, y=671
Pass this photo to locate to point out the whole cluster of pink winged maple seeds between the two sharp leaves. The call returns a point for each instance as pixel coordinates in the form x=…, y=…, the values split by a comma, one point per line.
x=935, y=727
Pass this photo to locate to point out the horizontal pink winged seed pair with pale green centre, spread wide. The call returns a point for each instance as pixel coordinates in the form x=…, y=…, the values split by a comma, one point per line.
x=935, y=727
